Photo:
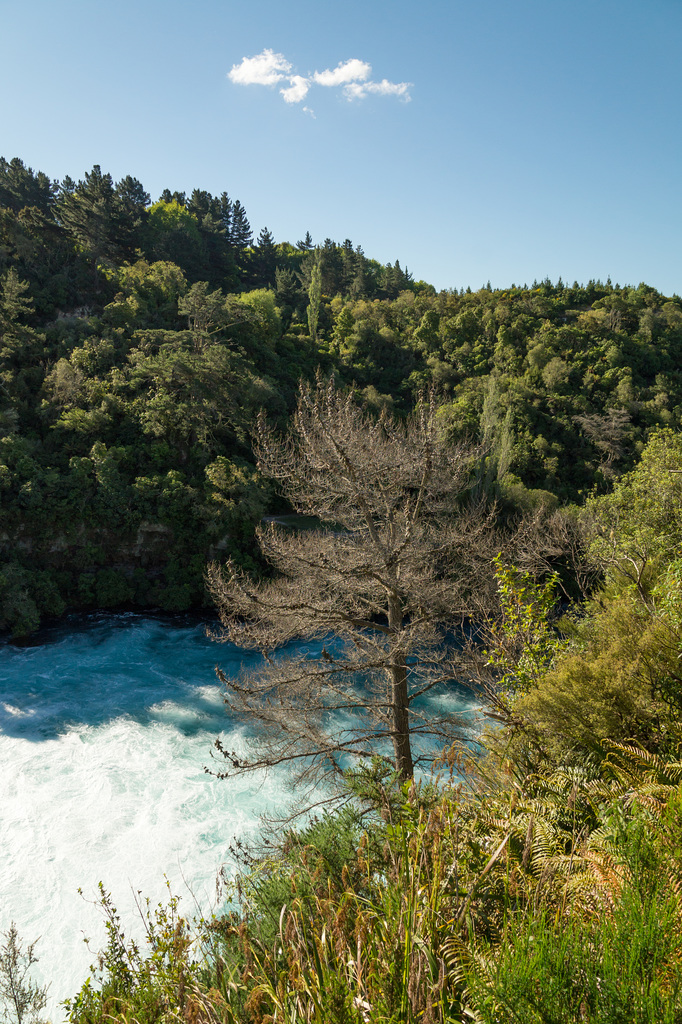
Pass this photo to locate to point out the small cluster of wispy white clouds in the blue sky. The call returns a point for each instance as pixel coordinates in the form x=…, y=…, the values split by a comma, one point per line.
x=352, y=76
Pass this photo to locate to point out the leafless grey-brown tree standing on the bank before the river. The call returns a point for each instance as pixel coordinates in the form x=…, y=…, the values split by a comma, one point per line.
x=403, y=552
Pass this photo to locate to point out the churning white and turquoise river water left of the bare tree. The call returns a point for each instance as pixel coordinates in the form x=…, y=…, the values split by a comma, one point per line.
x=106, y=727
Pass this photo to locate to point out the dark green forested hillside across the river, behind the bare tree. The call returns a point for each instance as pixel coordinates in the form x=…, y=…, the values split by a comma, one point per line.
x=139, y=339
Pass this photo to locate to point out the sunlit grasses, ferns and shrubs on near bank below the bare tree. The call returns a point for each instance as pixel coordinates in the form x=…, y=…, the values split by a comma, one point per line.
x=557, y=899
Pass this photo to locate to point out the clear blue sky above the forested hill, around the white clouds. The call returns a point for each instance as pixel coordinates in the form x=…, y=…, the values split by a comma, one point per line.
x=540, y=139
